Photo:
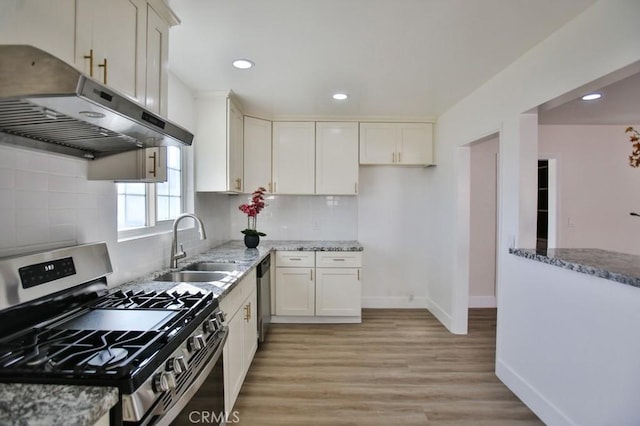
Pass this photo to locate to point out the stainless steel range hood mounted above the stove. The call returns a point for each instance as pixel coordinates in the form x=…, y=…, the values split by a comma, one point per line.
x=50, y=105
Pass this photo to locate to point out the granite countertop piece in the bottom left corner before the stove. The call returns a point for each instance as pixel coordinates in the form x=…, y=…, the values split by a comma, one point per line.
x=45, y=405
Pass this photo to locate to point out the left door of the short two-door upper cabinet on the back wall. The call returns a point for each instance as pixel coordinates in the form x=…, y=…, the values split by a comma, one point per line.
x=377, y=143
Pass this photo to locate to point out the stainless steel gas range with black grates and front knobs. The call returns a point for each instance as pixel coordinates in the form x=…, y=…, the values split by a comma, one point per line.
x=60, y=325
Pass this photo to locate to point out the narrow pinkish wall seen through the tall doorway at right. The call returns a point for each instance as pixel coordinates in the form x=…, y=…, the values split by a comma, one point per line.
x=483, y=227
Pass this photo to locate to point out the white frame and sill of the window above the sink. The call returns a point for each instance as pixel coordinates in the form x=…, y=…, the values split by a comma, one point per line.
x=155, y=227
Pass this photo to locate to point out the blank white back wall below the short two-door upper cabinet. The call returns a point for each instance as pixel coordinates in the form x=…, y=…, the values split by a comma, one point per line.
x=393, y=217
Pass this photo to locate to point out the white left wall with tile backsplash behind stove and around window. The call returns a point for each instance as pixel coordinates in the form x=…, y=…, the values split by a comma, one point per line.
x=47, y=201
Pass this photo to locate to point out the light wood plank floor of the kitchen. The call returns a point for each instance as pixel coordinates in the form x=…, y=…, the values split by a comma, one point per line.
x=399, y=367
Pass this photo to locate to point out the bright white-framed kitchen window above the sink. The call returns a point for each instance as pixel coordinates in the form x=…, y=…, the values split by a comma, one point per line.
x=145, y=208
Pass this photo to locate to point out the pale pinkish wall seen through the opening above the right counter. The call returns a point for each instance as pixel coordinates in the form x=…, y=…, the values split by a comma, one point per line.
x=597, y=187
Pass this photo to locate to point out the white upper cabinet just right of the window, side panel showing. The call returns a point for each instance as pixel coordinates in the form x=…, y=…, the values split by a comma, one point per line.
x=218, y=145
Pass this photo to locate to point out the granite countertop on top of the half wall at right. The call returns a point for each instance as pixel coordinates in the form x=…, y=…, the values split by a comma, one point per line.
x=620, y=267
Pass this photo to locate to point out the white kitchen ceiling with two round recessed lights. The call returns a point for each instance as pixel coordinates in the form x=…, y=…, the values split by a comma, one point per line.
x=395, y=58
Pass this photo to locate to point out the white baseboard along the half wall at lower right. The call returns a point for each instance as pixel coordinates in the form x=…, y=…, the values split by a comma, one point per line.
x=541, y=406
